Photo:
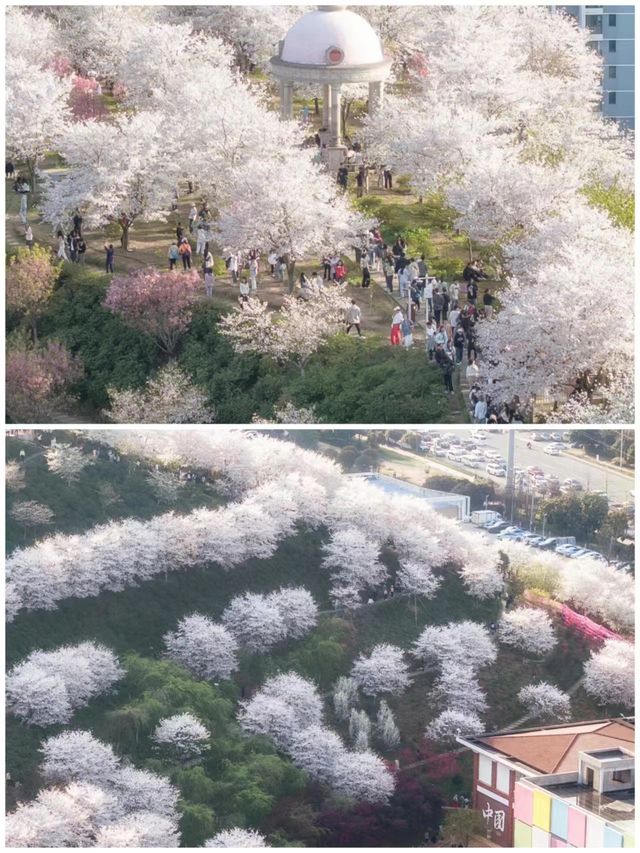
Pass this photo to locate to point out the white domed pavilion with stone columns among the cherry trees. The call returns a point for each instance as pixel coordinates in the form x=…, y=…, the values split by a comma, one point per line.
x=331, y=46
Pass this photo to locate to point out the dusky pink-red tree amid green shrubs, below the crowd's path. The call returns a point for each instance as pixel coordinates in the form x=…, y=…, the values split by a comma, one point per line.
x=157, y=303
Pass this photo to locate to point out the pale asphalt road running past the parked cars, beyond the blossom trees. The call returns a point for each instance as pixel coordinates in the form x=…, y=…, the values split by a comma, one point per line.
x=593, y=477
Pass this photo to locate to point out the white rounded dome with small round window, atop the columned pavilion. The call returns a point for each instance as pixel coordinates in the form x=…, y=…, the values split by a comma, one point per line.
x=332, y=36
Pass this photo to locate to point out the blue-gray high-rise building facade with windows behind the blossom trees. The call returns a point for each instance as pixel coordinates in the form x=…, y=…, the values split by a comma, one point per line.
x=612, y=30
